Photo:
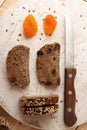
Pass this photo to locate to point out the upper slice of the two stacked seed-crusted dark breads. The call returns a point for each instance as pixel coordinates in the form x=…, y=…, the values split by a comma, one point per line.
x=39, y=100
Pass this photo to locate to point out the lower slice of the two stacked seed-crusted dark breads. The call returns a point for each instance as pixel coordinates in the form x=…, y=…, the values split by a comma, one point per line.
x=44, y=110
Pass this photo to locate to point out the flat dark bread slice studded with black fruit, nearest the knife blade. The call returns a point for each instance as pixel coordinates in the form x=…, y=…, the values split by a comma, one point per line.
x=48, y=65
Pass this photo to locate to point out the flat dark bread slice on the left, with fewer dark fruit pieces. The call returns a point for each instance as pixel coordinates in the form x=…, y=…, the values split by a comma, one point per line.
x=17, y=65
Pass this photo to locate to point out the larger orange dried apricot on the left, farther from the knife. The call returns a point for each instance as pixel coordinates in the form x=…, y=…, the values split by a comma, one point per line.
x=30, y=26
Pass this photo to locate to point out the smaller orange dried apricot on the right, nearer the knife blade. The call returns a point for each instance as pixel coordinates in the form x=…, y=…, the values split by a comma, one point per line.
x=49, y=24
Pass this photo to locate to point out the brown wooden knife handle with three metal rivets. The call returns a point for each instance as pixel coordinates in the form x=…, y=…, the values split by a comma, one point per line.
x=69, y=97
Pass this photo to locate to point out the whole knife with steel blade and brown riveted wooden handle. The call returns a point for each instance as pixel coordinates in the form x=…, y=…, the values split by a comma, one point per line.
x=70, y=72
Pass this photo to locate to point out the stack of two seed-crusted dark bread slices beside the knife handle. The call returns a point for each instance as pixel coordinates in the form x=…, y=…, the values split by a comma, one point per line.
x=39, y=105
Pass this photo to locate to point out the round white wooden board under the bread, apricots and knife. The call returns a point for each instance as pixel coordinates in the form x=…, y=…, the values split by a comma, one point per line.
x=12, y=22
